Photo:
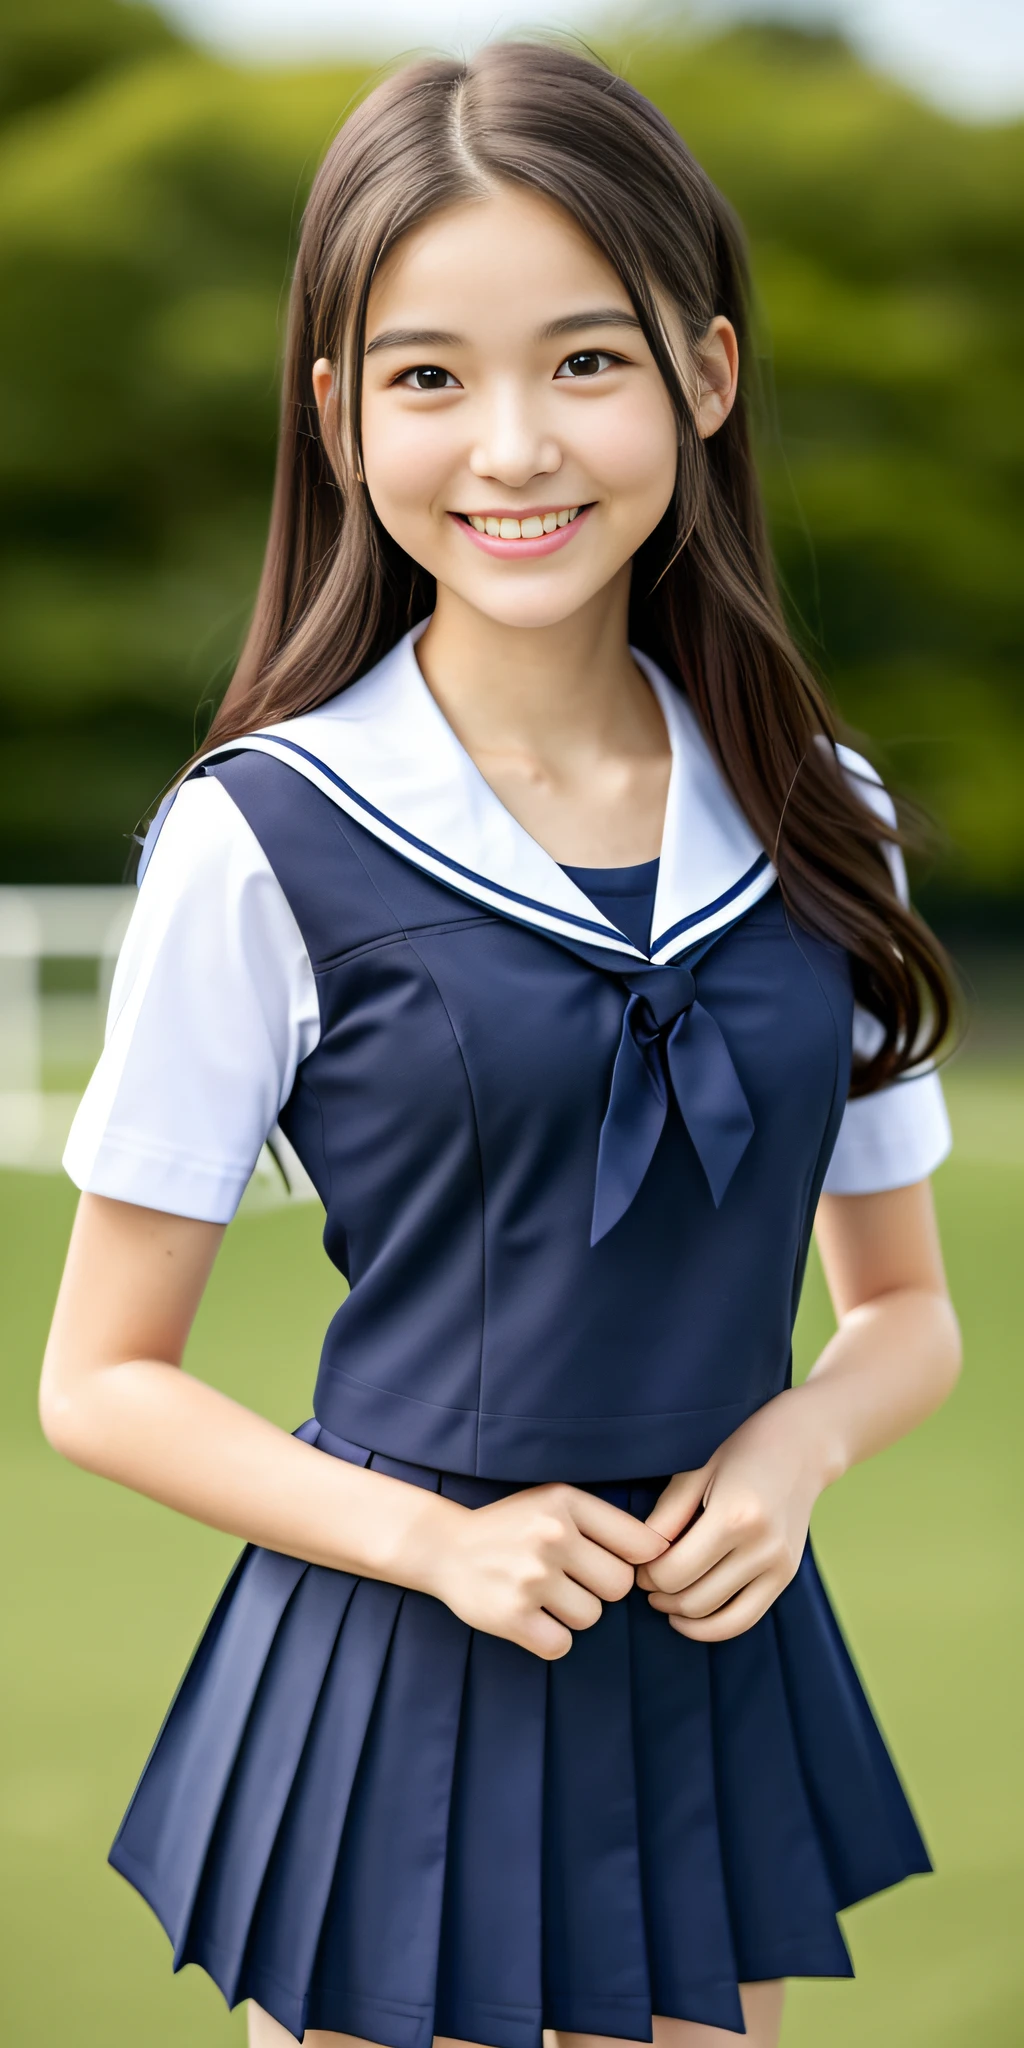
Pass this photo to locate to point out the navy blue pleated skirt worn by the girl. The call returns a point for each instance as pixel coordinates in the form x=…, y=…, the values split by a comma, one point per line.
x=370, y=1818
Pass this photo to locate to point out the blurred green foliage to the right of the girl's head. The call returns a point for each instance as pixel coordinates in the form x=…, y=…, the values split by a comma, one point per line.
x=888, y=255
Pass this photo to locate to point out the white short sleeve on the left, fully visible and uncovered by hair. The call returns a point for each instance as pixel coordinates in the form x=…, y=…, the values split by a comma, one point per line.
x=212, y=1009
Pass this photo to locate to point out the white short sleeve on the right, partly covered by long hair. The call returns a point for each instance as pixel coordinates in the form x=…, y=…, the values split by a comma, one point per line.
x=900, y=1134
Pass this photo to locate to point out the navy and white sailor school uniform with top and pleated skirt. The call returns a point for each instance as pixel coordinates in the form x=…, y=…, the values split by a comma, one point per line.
x=570, y=1129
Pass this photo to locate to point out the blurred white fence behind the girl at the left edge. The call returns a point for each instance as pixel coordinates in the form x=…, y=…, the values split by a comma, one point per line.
x=58, y=951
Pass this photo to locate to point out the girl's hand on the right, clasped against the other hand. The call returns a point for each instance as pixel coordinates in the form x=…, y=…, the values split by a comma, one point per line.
x=753, y=1506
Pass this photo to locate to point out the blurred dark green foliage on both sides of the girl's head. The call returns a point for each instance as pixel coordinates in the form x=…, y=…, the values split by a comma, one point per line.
x=148, y=208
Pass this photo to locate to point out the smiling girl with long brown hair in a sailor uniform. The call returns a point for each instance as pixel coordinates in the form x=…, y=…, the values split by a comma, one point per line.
x=525, y=886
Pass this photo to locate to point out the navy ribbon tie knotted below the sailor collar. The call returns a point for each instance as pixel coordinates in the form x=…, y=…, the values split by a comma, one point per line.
x=669, y=1041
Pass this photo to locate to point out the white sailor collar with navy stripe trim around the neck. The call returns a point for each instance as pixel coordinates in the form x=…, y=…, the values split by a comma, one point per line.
x=384, y=753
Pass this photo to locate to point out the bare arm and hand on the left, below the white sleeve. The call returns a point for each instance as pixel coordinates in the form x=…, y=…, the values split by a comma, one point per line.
x=116, y=1400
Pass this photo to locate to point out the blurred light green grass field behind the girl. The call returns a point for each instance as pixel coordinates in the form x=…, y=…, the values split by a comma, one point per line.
x=923, y=1553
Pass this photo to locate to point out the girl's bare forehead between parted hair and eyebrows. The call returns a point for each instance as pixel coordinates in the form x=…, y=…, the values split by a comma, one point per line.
x=511, y=257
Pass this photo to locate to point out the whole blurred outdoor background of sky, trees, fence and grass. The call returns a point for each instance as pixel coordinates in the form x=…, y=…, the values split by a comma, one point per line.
x=153, y=175
